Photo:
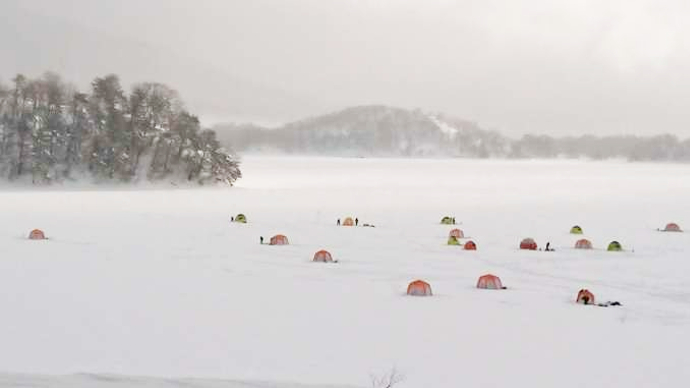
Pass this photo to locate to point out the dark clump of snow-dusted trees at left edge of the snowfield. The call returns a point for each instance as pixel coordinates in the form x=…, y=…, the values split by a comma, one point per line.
x=51, y=132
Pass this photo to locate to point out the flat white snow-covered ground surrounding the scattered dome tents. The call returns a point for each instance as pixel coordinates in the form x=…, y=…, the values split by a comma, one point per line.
x=159, y=283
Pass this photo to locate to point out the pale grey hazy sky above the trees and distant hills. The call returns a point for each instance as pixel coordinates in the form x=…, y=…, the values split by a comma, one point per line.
x=544, y=66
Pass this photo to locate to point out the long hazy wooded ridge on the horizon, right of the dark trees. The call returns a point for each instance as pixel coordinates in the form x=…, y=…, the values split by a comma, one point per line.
x=378, y=130
